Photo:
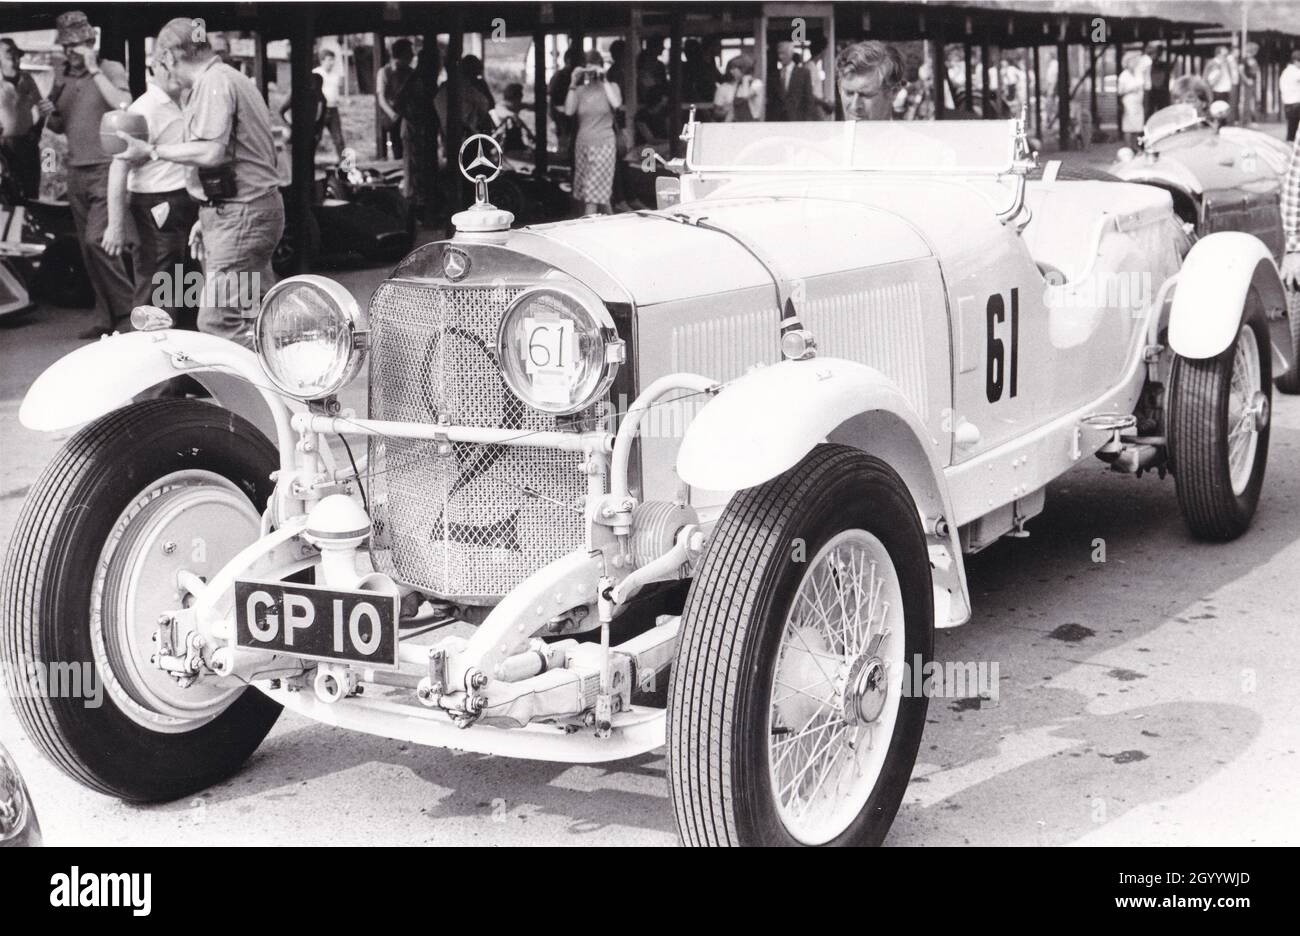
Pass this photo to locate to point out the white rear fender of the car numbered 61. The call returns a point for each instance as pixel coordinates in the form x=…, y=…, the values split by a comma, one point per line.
x=1212, y=292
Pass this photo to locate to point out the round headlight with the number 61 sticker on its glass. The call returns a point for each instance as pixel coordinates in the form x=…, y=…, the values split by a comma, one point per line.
x=560, y=352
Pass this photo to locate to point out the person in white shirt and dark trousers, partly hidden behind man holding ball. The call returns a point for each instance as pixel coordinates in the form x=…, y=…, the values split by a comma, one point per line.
x=151, y=198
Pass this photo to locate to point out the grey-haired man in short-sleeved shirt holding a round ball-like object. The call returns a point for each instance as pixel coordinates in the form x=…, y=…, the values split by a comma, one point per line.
x=232, y=157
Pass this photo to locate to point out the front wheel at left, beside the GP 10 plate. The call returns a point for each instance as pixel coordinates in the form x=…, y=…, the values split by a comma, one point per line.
x=133, y=500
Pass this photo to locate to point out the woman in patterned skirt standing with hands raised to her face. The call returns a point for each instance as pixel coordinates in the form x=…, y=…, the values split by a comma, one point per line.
x=592, y=102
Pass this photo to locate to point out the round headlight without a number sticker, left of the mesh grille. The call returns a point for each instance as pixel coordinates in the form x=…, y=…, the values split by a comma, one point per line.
x=311, y=337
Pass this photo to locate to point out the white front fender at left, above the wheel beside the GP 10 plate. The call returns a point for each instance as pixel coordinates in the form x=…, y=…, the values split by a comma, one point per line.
x=107, y=375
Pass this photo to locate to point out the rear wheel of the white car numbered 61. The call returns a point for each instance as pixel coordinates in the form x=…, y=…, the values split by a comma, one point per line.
x=1219, y=431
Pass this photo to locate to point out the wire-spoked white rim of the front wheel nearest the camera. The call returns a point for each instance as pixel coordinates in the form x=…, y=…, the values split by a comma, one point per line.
x=839, y=665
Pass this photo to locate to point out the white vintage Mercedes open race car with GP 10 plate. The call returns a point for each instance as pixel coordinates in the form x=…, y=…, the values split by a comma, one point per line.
x=699, y=478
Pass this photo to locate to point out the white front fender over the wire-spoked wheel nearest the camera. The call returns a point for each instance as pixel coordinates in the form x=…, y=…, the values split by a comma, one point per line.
x=766, y=422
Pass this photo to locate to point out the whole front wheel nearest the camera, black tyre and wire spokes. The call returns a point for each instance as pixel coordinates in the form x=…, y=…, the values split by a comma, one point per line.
x=788, y=722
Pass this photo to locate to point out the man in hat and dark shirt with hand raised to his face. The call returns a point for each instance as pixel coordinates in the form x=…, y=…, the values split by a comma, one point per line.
x=86, y=90
